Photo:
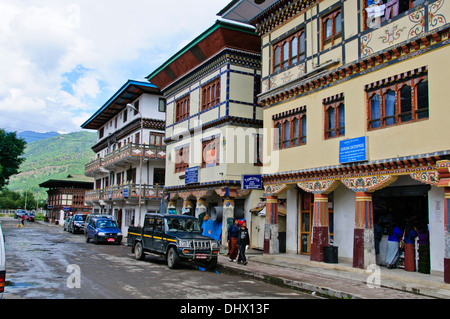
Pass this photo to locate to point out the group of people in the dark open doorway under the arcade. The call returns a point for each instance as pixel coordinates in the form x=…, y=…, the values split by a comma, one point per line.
x=399, y=240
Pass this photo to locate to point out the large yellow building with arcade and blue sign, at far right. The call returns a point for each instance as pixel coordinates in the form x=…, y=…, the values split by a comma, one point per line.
x=356, y=124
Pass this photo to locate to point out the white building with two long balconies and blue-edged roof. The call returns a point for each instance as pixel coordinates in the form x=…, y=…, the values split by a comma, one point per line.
x=129, y=168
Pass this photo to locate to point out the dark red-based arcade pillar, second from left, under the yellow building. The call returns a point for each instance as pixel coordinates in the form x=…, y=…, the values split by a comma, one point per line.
x=320, y=236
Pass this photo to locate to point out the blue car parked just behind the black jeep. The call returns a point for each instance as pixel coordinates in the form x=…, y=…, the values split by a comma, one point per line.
x=103, y=230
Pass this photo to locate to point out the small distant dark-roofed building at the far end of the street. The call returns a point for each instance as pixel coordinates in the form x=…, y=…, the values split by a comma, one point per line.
x=66, y=196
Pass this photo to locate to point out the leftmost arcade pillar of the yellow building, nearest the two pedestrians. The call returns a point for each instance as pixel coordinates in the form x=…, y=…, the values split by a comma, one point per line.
x=271, y=241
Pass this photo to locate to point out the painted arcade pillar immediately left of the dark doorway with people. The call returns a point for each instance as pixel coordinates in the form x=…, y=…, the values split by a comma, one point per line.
x=363, y=238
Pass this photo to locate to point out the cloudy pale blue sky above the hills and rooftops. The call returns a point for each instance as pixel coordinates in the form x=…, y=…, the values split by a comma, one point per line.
x=61, y=60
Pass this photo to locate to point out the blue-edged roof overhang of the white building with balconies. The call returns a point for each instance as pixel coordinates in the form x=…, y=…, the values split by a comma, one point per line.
x=128, y=93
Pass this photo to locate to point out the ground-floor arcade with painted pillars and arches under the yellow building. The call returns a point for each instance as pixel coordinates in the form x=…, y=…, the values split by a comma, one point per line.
x=344, y=207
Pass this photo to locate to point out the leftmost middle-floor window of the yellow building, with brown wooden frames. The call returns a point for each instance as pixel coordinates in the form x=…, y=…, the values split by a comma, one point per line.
x=290, y=131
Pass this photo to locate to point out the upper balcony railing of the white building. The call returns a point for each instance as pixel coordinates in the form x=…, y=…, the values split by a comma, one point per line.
x=125, y=154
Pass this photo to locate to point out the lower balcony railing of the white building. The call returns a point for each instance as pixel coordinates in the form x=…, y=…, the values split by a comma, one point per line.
x=125, y=191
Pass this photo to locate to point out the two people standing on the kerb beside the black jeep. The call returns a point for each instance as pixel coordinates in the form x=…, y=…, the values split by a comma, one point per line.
x=238, y=241
